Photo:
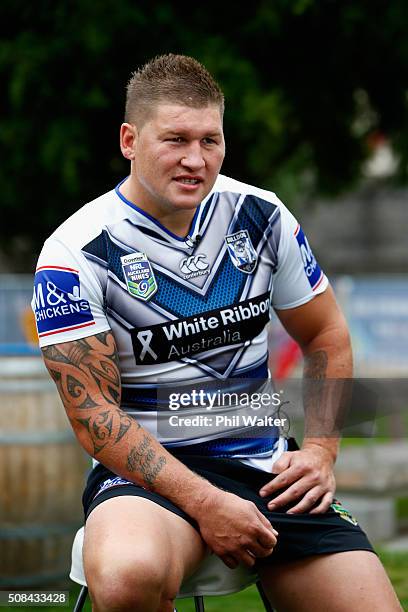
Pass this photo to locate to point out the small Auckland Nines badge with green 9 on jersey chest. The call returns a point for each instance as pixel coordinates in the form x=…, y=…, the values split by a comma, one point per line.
x=139, y=276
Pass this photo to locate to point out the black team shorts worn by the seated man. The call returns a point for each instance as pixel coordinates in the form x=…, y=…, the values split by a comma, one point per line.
x=300, y=535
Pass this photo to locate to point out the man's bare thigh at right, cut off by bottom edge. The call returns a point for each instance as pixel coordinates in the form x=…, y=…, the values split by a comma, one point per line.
x=340, y=582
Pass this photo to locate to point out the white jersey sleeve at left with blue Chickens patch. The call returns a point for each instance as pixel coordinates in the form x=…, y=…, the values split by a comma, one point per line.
x=68, y=301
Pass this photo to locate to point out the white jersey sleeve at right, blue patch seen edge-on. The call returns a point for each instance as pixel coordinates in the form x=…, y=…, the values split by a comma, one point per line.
x=298, y=276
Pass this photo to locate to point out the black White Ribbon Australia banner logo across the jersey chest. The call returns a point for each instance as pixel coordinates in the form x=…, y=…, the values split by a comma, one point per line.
x=208, y=331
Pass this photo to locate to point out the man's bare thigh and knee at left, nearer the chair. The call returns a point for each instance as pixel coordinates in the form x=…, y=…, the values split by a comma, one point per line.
x=133, y=538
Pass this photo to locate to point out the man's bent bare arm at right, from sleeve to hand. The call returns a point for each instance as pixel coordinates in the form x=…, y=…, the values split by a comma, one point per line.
x=307, y=474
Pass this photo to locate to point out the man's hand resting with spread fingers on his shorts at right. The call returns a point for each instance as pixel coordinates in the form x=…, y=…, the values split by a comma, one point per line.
x=308, y=474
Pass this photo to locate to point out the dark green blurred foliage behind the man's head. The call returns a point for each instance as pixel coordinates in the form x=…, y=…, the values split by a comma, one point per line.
x=293, y=73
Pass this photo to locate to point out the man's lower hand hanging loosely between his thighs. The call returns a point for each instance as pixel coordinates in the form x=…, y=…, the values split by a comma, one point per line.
x=235, y=529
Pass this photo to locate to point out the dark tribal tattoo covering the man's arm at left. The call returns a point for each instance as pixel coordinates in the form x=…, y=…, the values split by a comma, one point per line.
x=87, y=376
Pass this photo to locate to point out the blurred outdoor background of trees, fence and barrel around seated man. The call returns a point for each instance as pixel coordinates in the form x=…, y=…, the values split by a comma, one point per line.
x=316, y=110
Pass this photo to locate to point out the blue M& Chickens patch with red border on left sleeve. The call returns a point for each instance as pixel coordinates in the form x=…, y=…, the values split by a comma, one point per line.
x=57, y=301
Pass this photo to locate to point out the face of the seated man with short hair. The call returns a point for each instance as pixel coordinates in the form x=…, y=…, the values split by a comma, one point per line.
x=177, y=155
